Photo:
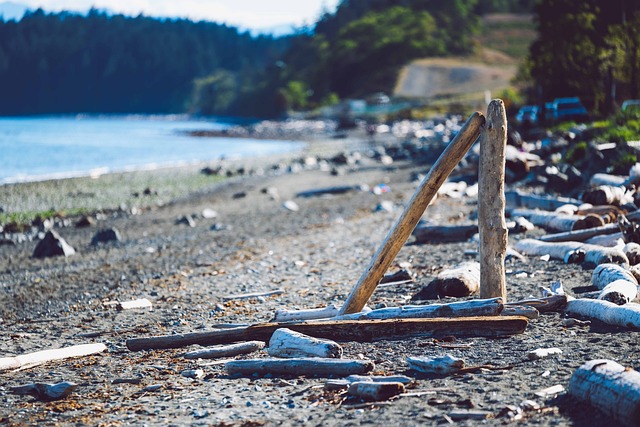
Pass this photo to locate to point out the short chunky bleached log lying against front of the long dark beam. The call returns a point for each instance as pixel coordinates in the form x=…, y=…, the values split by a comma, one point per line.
x=287, y=343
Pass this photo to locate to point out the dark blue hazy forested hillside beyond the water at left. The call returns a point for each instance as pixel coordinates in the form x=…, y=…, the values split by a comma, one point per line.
x=67, y=63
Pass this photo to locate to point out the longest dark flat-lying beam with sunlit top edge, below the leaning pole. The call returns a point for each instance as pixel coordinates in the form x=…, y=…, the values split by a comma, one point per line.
x=346, y=330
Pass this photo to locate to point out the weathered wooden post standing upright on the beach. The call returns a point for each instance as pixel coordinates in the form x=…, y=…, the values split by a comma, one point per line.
x=491, y=203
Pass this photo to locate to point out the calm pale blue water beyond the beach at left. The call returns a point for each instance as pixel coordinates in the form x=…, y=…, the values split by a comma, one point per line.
x=35, y=148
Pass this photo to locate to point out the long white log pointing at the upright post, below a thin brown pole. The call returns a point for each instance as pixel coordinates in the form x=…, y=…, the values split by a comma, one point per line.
x=572, y=251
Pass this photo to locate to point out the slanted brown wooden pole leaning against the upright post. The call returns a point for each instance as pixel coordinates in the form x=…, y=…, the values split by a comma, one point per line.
x=402, y=229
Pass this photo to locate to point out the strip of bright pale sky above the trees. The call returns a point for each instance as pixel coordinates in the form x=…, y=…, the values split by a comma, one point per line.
x=248, y=14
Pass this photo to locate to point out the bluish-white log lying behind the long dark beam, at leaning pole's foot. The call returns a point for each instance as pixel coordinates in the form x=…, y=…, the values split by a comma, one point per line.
x=484, y=307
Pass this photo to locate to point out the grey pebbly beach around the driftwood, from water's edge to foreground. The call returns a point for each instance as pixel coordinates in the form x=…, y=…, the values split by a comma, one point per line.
x=297, y=232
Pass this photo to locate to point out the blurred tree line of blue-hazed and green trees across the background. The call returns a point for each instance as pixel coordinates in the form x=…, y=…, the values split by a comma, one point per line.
x=102, y=63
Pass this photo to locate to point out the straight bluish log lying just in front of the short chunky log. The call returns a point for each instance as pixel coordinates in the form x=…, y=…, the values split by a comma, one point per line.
x=312, y=366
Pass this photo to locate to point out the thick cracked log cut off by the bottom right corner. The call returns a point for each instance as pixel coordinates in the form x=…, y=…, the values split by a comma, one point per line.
x=610, y=387
